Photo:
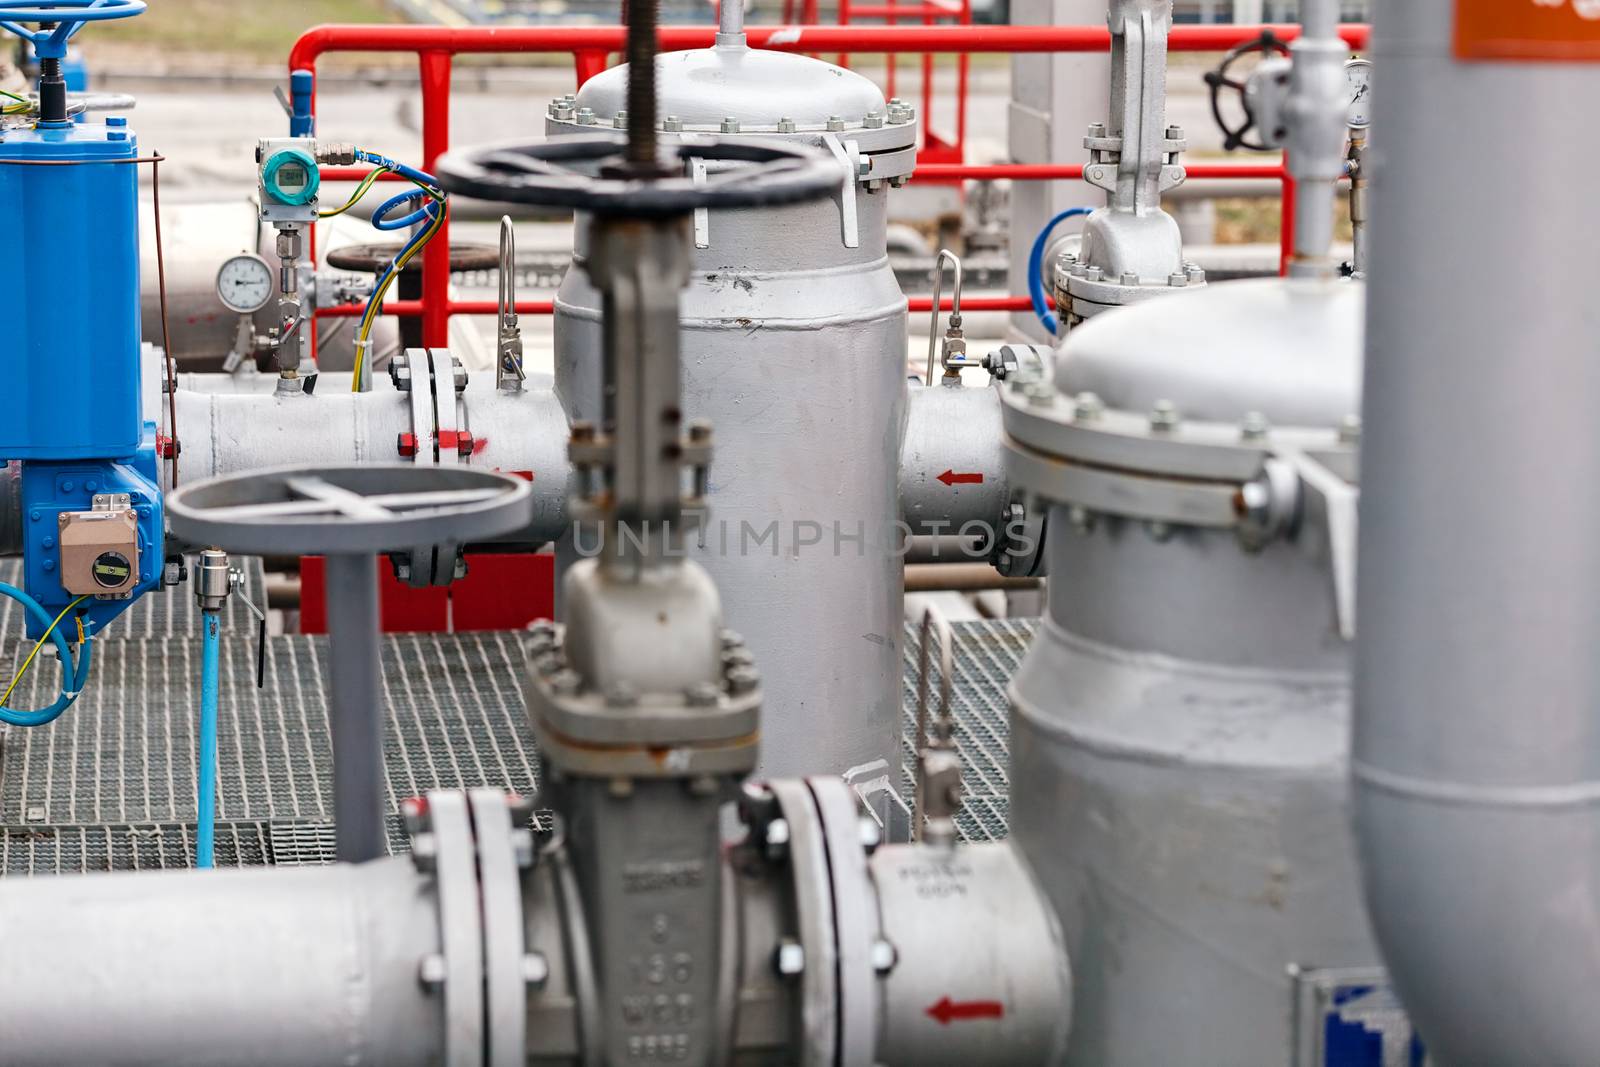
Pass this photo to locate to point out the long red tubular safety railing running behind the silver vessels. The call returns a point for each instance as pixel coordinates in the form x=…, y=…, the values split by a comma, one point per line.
x=593, y=47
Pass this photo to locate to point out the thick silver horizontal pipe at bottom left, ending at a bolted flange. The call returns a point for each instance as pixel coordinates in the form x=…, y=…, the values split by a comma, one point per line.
x=226, y=969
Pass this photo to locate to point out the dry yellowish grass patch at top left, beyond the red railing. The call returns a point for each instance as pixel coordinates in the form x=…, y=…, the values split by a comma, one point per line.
x=230, y=30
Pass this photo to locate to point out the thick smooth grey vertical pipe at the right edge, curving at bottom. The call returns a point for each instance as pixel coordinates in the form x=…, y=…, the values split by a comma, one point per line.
x=1478, y=730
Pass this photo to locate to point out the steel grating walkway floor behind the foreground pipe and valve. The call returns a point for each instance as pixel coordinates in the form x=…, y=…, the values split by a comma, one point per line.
x=111, y=785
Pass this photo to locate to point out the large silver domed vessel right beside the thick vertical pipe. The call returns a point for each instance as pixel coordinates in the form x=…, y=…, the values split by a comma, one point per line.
x=1180, y=725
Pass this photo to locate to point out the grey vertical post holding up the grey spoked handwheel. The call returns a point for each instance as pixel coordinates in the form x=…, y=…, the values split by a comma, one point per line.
x=356, y=708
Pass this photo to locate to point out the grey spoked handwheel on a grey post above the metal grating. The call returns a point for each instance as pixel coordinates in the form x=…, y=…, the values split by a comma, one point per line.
x=350, y=511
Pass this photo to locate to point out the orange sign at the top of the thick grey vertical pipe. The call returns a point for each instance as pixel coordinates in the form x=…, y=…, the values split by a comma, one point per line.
x=1562, y=31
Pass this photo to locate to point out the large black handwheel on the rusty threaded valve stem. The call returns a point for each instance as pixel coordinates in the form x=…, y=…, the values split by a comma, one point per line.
x=590, y=175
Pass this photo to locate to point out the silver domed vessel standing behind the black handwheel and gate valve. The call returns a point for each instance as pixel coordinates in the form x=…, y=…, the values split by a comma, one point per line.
x=794, y=348
